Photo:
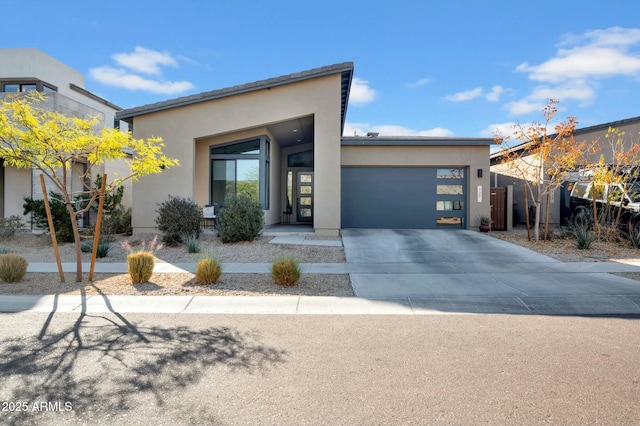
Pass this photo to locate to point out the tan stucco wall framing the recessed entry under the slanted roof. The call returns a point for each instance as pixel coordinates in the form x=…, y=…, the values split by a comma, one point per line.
x=181, y=126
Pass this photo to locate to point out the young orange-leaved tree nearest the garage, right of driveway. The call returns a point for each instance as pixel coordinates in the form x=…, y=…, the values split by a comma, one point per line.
x=546, y=160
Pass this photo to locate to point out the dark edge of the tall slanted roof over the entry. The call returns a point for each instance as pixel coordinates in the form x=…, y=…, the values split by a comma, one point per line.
x=346, y=68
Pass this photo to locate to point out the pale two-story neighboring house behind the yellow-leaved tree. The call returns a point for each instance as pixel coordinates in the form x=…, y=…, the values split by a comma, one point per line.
x=22, y=70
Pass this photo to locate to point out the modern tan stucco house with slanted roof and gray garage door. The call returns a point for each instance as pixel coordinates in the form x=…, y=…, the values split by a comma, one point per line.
x=280, y=141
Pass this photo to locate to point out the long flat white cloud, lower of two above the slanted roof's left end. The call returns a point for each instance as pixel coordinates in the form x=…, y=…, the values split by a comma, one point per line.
x=120, y=78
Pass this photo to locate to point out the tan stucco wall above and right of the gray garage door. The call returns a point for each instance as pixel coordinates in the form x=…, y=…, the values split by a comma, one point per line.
x=473, y=157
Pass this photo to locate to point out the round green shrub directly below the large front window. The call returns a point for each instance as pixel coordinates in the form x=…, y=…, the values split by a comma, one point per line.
x=240, y=219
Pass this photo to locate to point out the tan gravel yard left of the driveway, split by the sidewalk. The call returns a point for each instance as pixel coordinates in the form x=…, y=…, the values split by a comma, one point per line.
x=38, y=248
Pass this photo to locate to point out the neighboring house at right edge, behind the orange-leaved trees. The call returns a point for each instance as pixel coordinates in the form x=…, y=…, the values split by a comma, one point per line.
x=559, y=210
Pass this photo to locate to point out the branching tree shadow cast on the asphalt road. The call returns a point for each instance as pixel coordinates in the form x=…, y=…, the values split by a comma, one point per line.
x=105, y=364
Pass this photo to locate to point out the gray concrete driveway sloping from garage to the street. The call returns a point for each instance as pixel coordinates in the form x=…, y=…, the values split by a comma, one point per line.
x=465, y=271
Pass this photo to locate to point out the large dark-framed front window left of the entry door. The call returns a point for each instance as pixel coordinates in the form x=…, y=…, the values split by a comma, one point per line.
x=241, y=167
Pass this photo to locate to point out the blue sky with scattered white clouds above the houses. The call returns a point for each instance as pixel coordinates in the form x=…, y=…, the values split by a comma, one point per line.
x=435, y=68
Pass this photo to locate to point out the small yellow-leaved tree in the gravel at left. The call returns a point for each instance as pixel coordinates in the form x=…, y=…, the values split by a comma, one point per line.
x=32, y=136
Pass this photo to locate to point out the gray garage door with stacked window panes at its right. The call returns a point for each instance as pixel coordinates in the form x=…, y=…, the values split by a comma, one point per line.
x=404, y=197
